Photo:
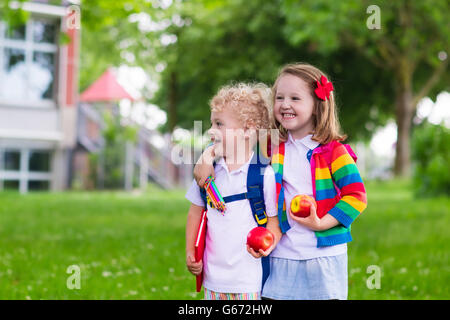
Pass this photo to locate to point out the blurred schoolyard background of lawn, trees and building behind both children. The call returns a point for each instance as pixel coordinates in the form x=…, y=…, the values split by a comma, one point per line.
x=98, y=101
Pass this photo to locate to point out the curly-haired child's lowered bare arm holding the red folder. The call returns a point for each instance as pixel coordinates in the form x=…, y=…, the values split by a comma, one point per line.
x=193, y=221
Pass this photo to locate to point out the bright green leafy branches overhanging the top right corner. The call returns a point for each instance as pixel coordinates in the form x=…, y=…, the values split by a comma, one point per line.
x=404, y=31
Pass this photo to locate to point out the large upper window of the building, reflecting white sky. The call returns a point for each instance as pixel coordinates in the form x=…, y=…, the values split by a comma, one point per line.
x=27, y=61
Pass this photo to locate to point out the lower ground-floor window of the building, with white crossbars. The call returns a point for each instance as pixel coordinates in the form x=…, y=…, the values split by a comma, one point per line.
x=25, y=170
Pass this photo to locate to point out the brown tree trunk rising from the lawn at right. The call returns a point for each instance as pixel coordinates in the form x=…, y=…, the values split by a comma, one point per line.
x=404, y=115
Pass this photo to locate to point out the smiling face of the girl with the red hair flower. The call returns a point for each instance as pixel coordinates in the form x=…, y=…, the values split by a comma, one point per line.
x=294, y=106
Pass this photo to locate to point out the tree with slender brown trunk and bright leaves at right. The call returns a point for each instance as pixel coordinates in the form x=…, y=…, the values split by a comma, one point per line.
x=412, y=46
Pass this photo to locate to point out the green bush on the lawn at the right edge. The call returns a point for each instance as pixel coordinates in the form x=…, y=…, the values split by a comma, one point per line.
x=431, y=154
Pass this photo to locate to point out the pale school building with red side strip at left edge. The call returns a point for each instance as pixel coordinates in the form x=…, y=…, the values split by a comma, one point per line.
x=38, y=88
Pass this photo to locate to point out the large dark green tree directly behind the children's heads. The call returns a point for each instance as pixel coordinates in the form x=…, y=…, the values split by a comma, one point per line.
x=247, y=41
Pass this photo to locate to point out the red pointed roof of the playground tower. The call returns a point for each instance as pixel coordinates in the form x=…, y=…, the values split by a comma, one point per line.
x=106, y=88
